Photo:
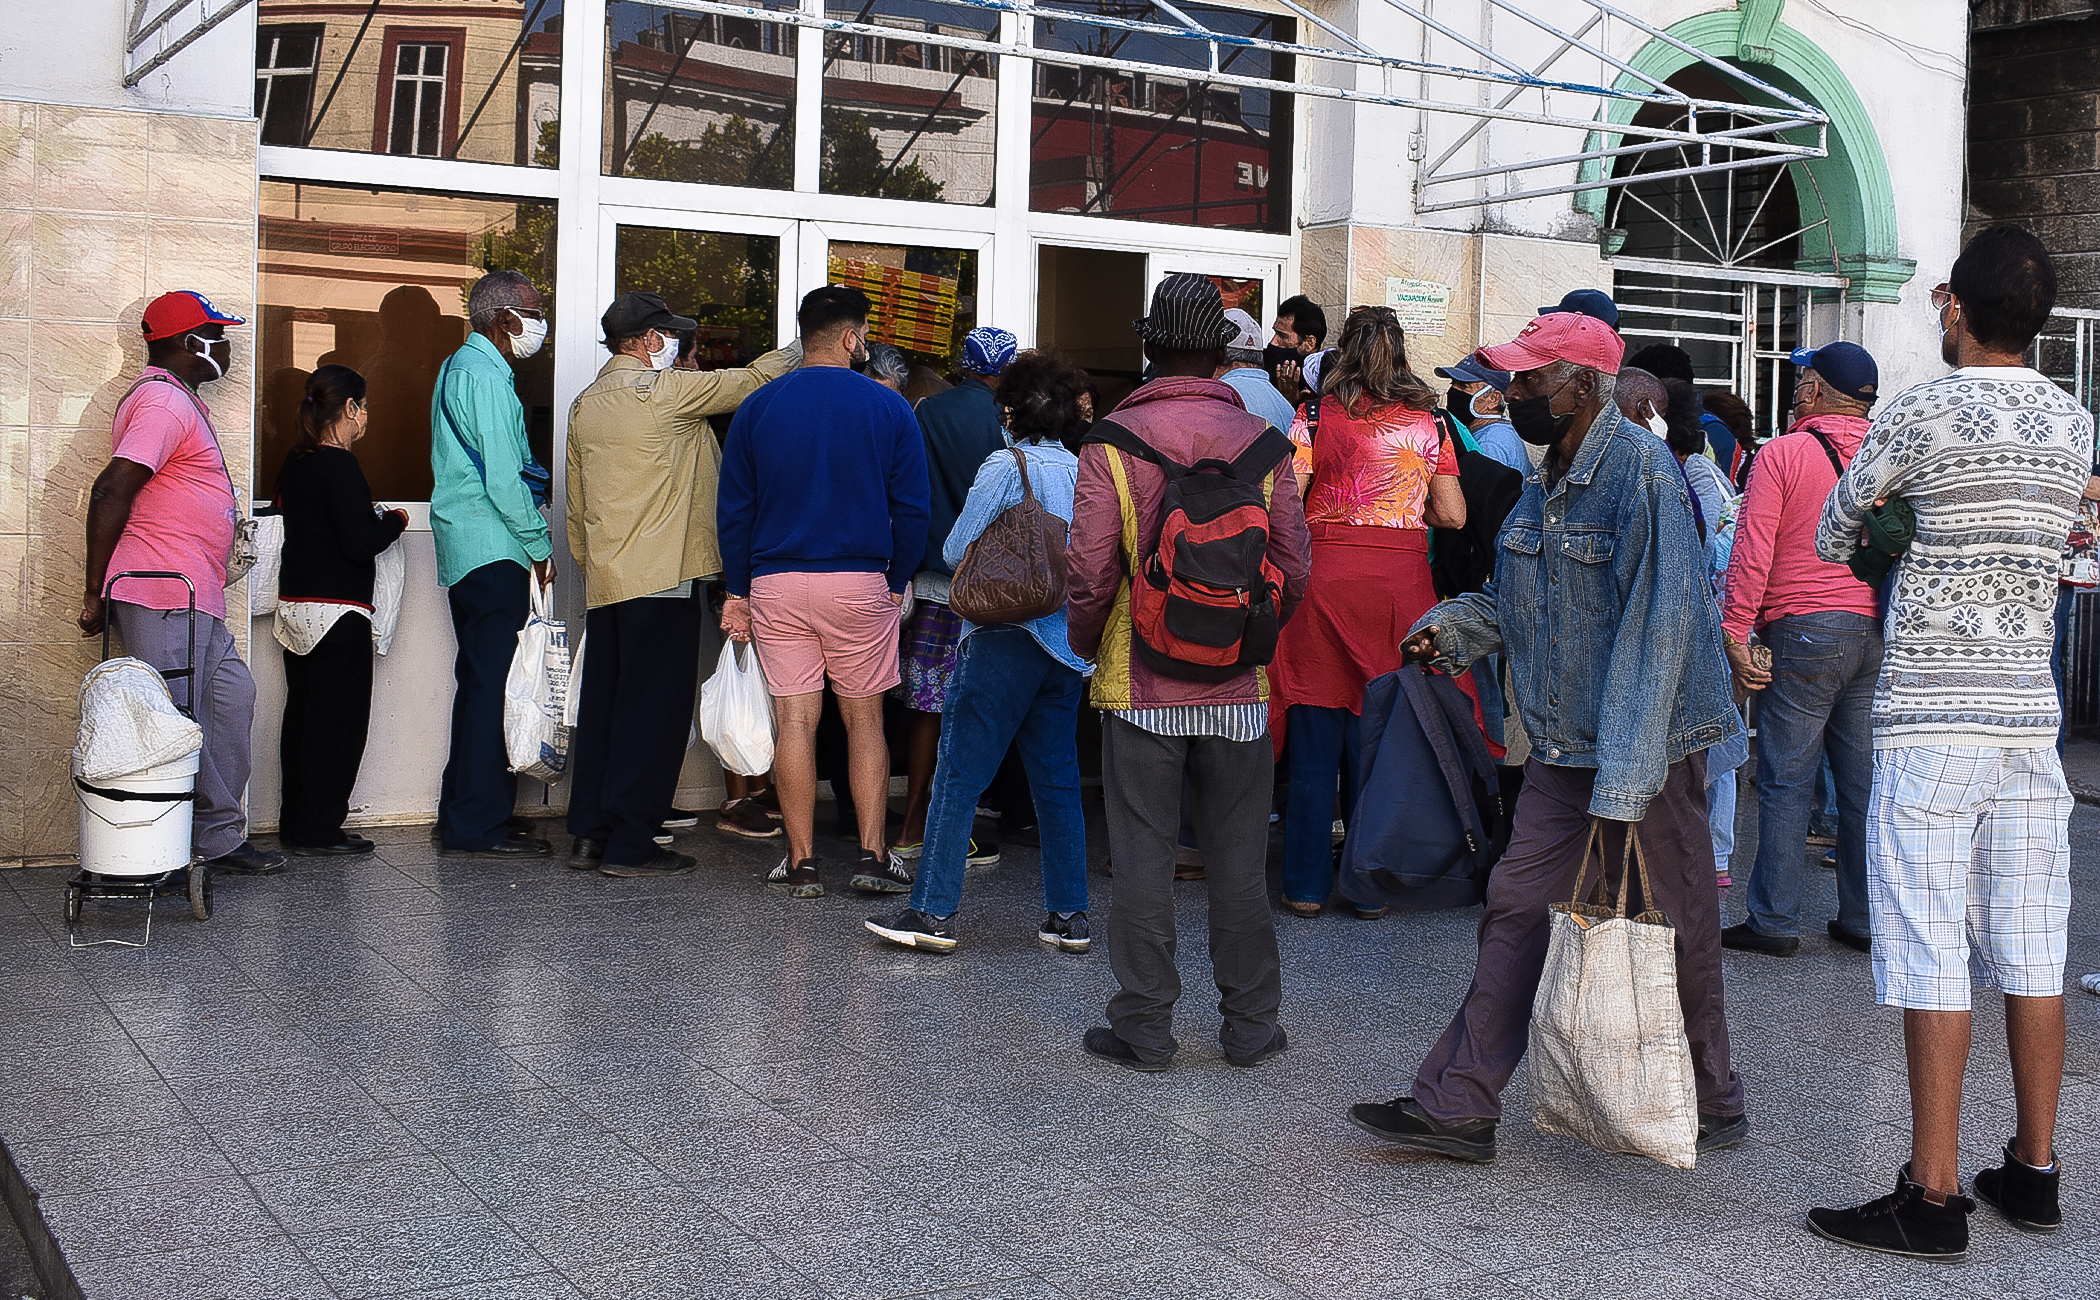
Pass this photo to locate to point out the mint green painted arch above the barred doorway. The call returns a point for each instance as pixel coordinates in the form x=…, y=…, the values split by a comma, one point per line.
x=1853, y=180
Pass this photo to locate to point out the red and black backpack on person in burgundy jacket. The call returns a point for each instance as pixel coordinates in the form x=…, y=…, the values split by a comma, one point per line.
x=1202, y=589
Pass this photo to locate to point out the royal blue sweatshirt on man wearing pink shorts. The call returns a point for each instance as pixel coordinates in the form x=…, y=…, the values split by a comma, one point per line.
x=824, y=471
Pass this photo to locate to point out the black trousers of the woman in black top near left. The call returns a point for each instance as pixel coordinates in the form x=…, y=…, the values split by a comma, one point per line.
x=327, y=715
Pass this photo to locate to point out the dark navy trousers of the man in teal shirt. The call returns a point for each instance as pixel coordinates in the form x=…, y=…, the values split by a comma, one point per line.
x=480, y=791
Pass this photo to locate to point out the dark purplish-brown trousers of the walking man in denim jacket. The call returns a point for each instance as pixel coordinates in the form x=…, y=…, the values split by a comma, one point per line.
x=1477, y=1055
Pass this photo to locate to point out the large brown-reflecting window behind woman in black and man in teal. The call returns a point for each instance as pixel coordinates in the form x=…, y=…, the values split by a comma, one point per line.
x=377, y=280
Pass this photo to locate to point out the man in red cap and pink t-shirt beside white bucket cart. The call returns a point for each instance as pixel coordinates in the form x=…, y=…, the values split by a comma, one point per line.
x=167, y=503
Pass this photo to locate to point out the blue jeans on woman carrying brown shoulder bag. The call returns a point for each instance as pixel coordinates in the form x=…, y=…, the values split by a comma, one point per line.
x=1007, y=690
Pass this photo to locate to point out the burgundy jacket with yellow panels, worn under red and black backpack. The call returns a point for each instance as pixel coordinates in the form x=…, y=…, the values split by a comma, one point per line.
x=1188, y=421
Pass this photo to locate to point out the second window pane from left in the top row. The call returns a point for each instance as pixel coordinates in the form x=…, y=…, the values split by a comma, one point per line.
x=700, y=98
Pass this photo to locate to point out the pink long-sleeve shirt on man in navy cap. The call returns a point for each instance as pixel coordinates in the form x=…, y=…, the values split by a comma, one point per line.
x=1773, y=570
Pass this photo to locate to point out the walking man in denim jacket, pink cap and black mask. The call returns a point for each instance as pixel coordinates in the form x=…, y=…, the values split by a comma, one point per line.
x=1603, y=608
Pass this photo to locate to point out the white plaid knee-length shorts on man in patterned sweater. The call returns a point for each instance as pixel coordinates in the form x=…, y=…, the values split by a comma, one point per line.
x=1969, y=847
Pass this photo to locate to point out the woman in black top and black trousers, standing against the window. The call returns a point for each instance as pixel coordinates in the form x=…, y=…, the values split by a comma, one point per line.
x=324, y=614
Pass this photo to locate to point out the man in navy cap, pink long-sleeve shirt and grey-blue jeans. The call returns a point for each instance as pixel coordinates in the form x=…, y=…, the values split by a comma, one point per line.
x=1826, y=637
